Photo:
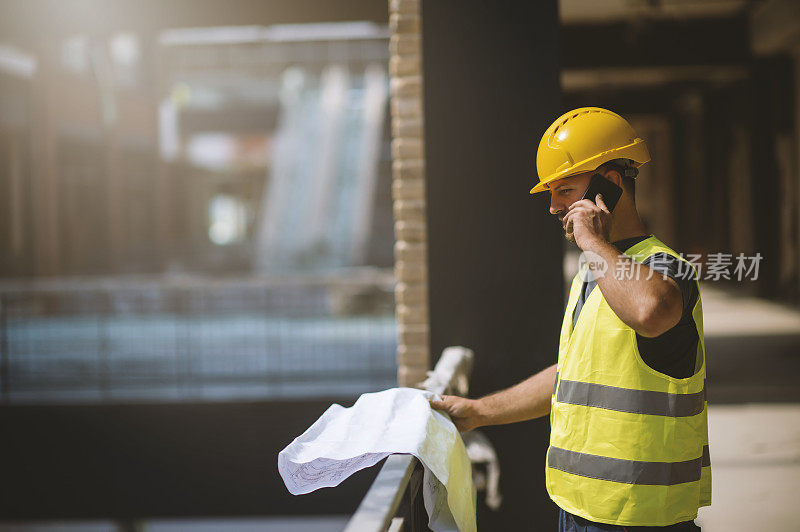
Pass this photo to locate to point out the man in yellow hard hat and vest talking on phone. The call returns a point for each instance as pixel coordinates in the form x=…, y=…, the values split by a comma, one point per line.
x=628, y=427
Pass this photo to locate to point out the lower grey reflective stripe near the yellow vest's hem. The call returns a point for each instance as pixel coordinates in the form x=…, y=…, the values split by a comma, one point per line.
x=624, y=471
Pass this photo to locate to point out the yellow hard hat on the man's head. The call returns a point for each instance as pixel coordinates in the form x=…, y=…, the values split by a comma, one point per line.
x=581, y=140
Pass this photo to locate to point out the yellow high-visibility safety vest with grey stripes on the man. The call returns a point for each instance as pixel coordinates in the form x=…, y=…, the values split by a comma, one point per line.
x=628, y=444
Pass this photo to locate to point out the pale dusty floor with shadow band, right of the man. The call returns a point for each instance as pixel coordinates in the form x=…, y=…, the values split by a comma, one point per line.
x=754, y=416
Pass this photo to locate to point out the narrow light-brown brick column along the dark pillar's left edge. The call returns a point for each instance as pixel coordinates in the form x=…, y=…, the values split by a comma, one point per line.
x=408, y=192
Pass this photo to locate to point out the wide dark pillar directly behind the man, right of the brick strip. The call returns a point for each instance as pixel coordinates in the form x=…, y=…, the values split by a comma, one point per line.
x=490, y=89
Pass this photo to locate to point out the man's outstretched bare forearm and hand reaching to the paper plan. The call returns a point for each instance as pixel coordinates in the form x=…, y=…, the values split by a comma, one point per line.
x=527, y=400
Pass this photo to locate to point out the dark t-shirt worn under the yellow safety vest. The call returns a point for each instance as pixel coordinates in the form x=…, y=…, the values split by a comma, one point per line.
x=675, y=351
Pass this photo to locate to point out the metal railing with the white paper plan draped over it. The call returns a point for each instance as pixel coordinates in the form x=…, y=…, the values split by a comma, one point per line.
x=394, y=501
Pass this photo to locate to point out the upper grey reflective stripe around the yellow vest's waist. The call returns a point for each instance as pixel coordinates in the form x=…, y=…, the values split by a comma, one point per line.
x=633, y=401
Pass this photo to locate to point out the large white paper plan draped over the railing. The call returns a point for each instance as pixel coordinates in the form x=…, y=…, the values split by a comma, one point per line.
x=396, y=421
